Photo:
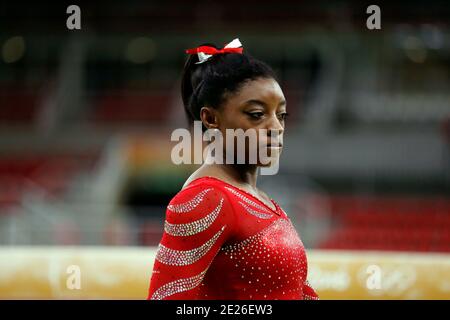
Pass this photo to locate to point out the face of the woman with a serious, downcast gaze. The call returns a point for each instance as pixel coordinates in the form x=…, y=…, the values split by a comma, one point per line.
x=259, y=104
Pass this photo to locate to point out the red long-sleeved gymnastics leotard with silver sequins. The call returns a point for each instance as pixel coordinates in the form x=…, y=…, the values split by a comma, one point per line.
x=223, y=243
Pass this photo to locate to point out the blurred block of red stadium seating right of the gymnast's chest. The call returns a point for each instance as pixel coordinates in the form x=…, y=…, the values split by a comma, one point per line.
x=390, y=223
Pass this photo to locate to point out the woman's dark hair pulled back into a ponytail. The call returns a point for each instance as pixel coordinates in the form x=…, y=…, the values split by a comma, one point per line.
x=210, y=82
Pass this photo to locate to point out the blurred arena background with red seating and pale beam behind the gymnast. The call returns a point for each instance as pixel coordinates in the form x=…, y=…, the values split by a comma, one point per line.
x=86, y=117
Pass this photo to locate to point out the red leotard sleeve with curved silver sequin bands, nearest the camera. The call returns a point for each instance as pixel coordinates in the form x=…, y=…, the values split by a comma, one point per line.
x=198, y=221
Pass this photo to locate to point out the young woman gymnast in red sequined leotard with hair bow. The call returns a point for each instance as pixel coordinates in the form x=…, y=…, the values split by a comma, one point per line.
x=223, y=237
